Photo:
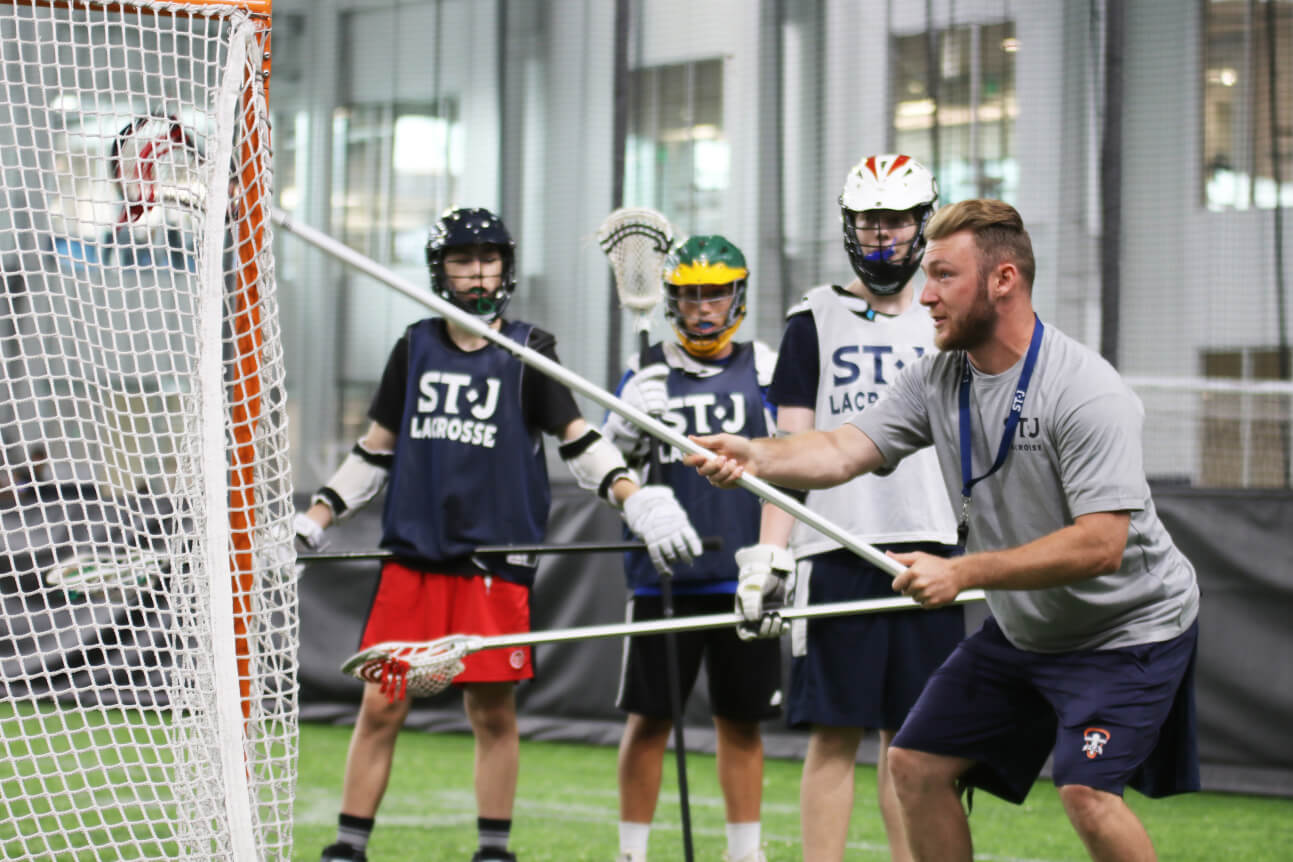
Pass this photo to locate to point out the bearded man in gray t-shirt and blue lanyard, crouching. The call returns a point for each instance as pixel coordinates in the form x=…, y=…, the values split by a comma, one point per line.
x=1089, y=653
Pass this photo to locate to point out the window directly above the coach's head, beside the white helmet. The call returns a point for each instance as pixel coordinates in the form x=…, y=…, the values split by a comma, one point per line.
x=957, y=116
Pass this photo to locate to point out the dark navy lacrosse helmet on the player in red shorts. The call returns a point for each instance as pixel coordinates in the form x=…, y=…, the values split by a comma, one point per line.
x=469, y=228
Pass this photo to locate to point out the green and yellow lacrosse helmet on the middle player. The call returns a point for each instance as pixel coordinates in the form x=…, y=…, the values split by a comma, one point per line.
x=701, y=262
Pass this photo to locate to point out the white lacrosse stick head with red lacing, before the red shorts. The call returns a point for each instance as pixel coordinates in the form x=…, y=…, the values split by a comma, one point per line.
x=416, y=670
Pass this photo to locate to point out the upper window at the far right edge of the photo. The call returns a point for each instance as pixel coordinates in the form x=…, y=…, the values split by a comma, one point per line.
x=1241, y=170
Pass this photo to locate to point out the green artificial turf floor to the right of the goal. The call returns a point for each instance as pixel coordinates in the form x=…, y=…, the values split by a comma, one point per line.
x=567, y=811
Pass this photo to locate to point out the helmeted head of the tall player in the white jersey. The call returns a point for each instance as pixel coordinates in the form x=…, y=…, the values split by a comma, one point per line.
x=882, y=191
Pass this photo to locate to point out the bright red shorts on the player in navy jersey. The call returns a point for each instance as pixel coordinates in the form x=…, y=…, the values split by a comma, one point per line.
x=413, y=605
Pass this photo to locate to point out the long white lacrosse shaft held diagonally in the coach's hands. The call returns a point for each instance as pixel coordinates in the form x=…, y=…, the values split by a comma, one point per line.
x=572, y=381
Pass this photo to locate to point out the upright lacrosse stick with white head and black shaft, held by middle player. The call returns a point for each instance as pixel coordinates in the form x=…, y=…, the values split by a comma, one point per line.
x=637, y=242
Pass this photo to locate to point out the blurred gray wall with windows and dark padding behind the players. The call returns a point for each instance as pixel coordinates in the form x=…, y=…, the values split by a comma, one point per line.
x=1148, y=145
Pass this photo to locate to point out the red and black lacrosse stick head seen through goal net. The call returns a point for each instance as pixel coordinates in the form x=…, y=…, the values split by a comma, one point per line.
x=156, y=162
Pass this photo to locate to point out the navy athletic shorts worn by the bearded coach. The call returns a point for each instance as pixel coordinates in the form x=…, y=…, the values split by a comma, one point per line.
x=1111, y=718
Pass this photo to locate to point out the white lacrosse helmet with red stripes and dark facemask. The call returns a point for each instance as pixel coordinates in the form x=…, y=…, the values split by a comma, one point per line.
x=898, y=184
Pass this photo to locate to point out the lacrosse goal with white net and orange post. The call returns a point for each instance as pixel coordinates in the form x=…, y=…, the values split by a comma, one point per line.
x=149, y=624
